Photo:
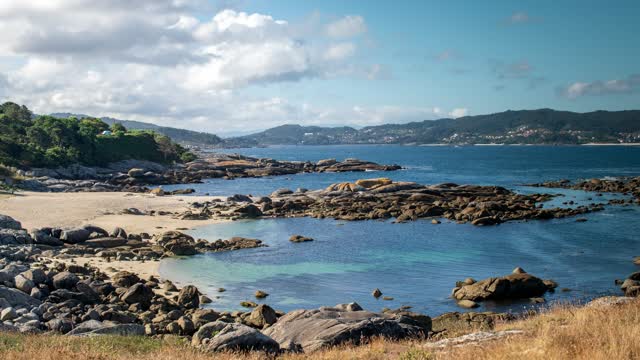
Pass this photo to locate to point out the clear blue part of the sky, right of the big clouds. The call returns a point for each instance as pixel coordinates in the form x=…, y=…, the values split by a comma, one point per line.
x=446, y=53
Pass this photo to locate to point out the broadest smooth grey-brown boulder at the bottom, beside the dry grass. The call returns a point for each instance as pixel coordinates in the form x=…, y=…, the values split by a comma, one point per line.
x=325, y=327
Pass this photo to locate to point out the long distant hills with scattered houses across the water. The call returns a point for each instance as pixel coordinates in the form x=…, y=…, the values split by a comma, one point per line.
x=543, y=126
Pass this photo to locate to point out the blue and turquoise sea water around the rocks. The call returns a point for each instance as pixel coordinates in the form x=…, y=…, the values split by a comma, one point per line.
x=417, y=263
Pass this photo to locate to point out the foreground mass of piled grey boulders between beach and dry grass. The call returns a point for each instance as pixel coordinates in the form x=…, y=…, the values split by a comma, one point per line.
x=38, y=293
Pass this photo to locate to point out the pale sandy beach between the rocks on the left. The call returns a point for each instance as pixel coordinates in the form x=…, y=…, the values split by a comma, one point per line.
x=67, y=210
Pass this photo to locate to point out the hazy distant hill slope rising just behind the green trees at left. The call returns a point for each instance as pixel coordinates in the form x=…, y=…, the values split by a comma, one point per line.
x=178, y=135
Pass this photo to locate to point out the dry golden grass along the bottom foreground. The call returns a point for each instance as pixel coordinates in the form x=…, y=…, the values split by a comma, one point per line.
x=565, y=332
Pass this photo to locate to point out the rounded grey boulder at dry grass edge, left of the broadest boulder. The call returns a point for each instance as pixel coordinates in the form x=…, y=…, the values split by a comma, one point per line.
x=238, y=337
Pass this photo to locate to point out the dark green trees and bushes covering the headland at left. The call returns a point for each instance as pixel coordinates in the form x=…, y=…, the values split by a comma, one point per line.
x=47, y=141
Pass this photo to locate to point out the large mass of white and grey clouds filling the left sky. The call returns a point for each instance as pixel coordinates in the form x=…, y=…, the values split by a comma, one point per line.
x=157, y=61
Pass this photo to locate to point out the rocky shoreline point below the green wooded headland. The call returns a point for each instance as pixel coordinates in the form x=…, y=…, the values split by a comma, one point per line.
x=140, y=176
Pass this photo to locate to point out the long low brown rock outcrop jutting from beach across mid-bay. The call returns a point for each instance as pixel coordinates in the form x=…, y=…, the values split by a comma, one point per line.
x=382, y=198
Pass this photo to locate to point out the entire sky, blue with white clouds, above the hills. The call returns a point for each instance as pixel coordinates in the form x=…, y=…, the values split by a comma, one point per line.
x=239, y=66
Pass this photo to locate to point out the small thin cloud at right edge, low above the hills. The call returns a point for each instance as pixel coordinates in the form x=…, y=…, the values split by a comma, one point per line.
x=607, y=87
